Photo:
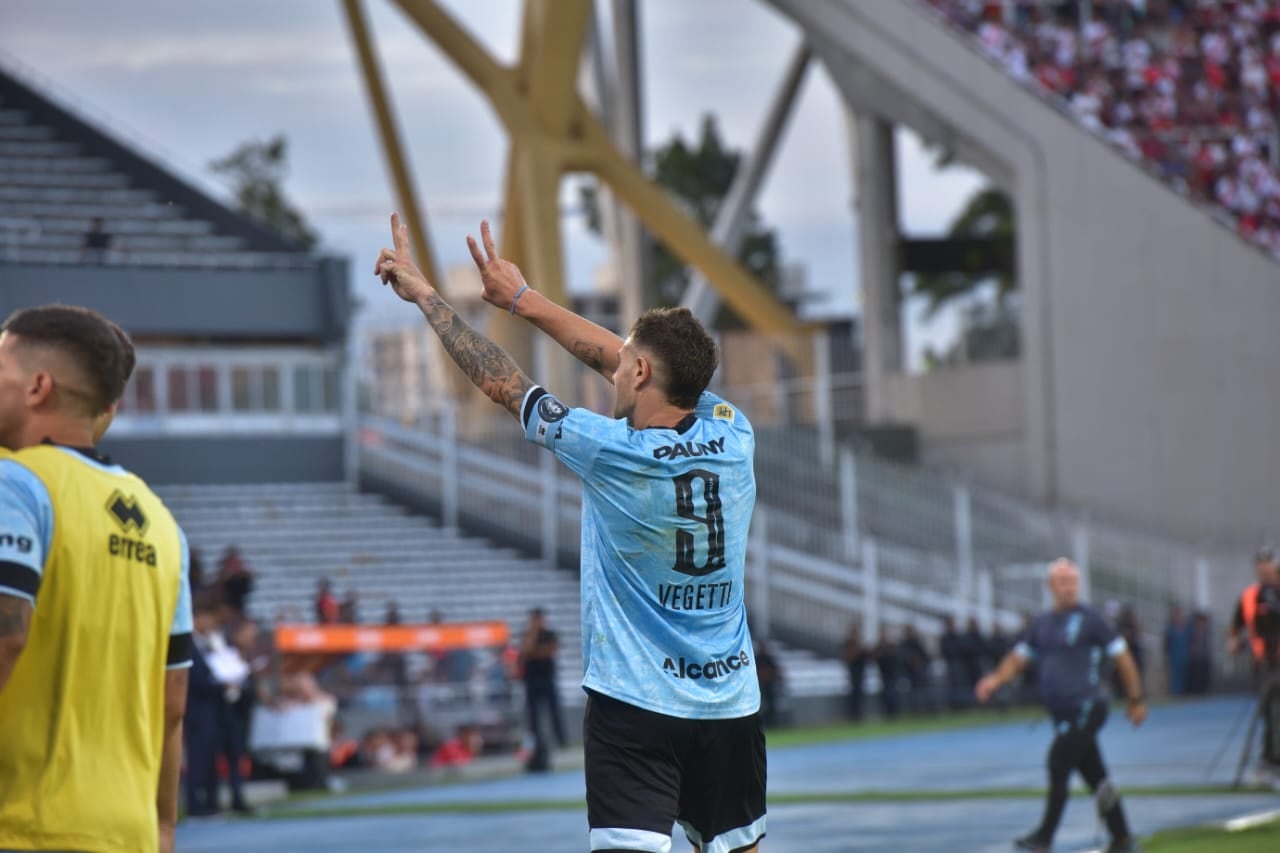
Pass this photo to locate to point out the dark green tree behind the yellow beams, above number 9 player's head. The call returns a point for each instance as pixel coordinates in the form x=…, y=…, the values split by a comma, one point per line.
x=700, y=176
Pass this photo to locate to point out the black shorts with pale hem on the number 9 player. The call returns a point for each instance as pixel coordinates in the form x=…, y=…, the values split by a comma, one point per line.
x=646, y=772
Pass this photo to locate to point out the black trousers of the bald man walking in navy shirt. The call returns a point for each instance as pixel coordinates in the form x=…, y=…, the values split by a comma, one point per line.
x=1076, y=749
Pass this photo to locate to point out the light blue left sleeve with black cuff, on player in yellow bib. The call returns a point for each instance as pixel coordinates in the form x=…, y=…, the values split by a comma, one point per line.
x=26, y=531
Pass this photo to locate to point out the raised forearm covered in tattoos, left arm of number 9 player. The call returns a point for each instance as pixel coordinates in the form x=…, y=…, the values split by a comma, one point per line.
x=487, y=364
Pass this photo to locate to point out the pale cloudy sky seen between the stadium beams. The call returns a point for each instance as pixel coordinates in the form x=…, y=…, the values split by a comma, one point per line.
x=190, y=81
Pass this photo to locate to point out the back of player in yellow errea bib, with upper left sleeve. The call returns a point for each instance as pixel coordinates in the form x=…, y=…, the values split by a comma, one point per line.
x=83, y=714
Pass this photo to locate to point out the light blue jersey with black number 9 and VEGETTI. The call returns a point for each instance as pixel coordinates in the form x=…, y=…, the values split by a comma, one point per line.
x=665, y=523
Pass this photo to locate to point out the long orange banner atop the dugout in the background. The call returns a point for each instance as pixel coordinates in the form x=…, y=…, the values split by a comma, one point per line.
x=341, y=640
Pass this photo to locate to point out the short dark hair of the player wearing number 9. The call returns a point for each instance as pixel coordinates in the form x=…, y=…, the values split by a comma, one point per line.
x=688, y=354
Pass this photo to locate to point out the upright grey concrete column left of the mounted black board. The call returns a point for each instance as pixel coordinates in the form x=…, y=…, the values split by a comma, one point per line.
x=876, y=188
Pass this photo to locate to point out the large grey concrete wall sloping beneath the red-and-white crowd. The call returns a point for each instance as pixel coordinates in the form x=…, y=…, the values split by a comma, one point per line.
x=1148, y=381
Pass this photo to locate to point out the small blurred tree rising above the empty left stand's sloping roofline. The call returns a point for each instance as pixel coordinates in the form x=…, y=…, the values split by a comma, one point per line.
x=257, y=172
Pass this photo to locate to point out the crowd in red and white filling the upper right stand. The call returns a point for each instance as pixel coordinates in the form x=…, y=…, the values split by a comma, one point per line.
x=1191, y=88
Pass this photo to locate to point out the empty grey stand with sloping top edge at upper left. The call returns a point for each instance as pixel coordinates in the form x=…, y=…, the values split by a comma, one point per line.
x=241, y=335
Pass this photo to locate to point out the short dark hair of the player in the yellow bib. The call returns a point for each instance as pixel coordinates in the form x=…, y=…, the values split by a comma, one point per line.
x=100, y=349
